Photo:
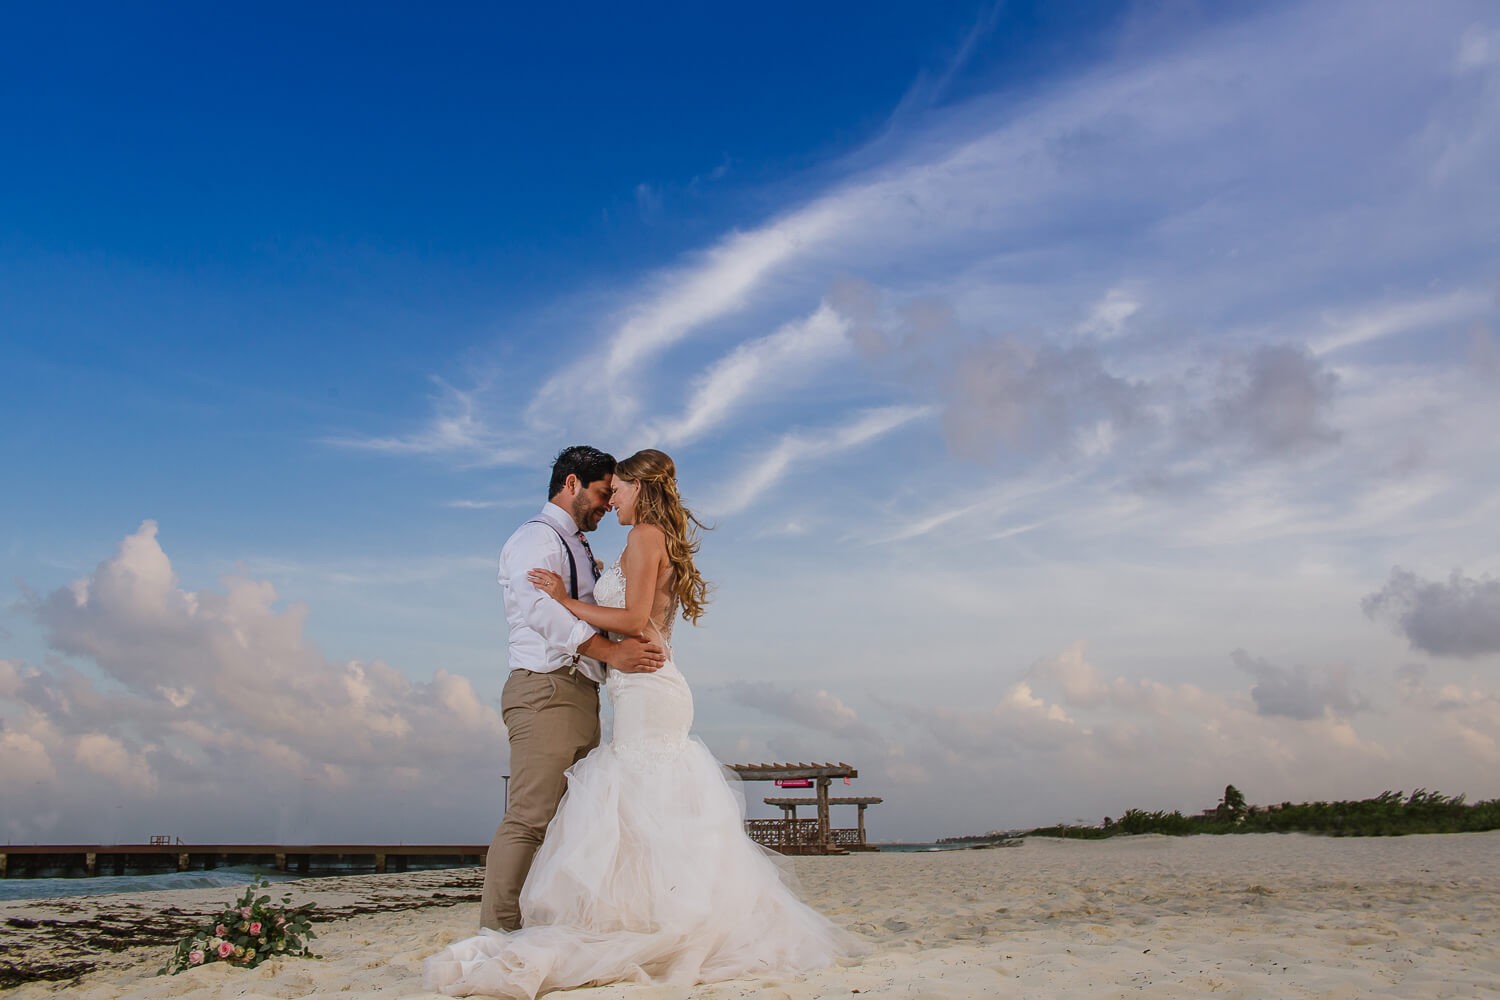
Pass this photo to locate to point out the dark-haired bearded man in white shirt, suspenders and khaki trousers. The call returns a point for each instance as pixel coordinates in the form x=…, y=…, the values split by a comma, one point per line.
x=557, y=663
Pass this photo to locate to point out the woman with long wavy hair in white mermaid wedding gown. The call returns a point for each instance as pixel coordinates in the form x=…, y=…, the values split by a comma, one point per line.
x=646, y=873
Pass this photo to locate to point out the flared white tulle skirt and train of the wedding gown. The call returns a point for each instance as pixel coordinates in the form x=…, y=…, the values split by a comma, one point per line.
x=646, y=876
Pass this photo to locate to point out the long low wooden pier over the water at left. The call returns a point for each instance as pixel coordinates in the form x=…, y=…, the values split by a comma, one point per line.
x=49, y=861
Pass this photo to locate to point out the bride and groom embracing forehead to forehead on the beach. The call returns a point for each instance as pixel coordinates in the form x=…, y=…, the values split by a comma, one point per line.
x=626, y=861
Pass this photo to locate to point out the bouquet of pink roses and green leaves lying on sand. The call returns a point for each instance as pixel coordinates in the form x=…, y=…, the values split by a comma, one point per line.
x=248, y=933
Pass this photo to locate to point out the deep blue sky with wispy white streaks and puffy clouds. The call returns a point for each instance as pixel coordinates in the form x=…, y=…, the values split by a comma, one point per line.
x=1094, y=403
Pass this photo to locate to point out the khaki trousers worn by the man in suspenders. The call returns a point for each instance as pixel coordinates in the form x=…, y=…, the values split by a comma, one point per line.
x=553, y=720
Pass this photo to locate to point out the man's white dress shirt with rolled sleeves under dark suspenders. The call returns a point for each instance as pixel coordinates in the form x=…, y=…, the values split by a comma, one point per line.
x=544, y=636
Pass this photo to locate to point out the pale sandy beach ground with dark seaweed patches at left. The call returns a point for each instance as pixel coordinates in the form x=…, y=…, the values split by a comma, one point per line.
x=1237, y=917
